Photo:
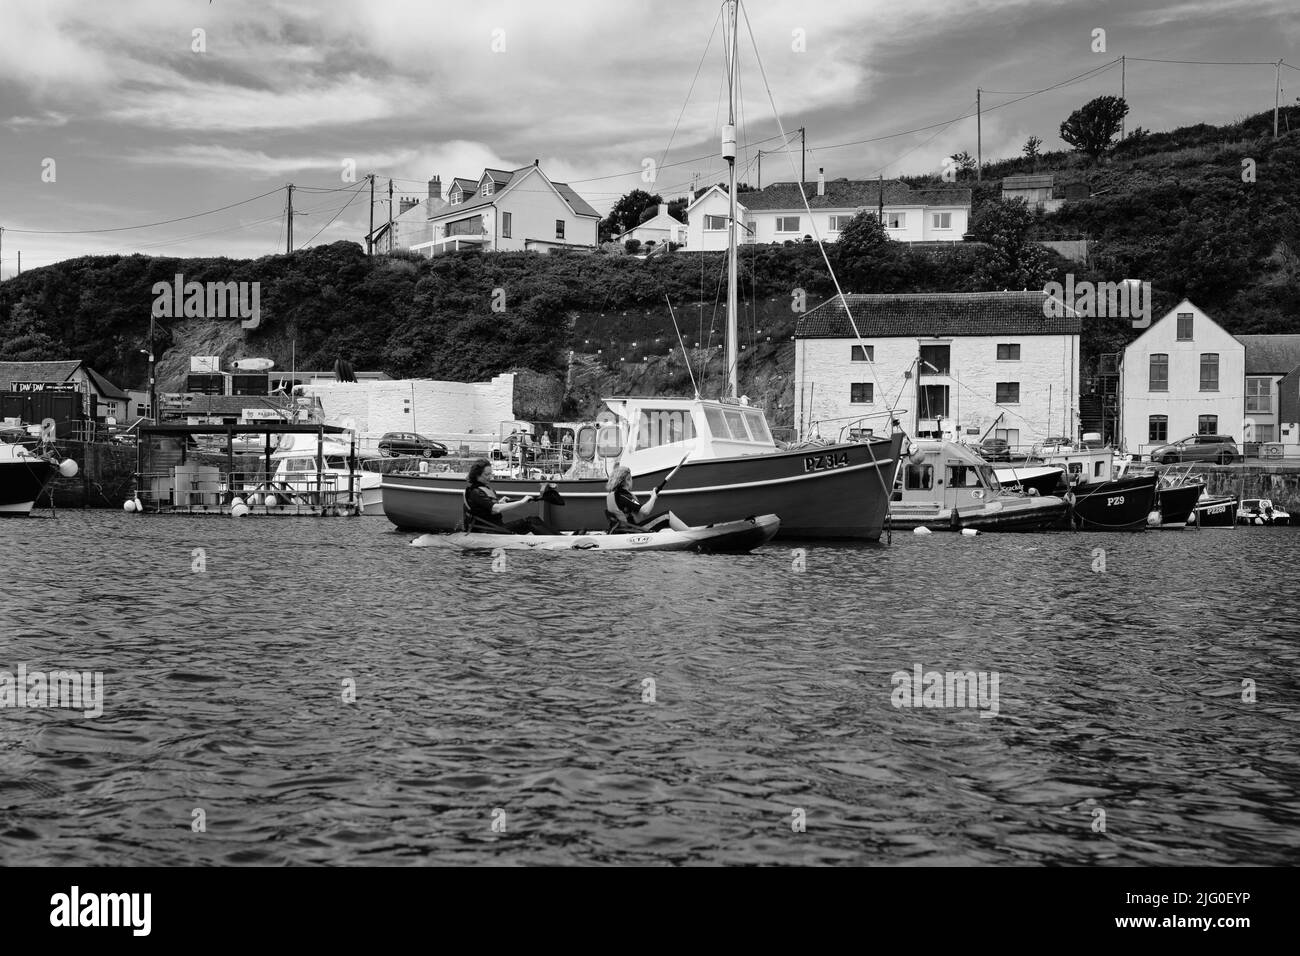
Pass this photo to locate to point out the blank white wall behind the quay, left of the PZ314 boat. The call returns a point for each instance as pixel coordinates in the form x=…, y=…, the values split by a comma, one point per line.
x=443, y=410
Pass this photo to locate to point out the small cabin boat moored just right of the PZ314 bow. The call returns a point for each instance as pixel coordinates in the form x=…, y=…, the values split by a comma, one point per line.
x=944, y=486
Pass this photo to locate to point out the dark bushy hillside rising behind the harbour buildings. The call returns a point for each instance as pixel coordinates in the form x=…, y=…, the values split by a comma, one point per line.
x=1168, y=207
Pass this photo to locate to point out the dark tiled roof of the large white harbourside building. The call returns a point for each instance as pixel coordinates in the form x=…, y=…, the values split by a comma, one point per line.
x=937, y=314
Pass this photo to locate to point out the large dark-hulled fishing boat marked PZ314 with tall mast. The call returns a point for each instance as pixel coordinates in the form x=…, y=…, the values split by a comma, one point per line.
x=733, y=465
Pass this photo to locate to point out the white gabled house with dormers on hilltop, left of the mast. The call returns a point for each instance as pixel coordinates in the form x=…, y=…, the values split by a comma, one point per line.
x=512, y=211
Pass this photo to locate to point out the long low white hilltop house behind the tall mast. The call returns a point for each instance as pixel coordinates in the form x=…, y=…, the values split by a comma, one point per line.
x=777, y=214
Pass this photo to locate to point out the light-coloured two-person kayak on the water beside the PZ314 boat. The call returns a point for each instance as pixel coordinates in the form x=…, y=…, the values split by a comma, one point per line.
x=727, y=537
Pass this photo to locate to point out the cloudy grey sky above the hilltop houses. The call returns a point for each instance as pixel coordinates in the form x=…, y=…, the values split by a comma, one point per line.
x=115, y=116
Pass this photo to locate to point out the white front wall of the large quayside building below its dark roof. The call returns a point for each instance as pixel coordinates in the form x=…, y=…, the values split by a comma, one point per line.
x=1047, y=373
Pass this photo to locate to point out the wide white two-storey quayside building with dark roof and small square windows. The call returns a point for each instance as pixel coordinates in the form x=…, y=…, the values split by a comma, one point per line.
x=991, y=366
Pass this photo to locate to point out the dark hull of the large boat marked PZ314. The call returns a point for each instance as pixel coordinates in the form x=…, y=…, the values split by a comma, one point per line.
x=825, y=492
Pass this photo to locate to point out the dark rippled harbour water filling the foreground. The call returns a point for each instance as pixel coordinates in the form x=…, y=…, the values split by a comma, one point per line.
x=518, y=697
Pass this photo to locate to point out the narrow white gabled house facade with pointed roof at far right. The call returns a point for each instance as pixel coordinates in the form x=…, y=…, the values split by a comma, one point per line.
x=1182, y=377
